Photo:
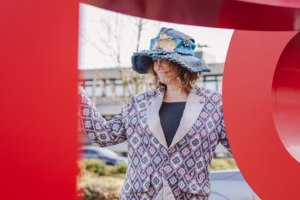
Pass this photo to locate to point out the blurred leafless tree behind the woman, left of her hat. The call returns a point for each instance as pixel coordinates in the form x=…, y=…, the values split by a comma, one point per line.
x=109, y=36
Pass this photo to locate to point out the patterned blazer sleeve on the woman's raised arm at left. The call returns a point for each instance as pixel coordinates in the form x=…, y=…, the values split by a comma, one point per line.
x=99, y=130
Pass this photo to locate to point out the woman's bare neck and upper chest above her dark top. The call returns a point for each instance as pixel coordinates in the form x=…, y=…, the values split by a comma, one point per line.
x=175, y=94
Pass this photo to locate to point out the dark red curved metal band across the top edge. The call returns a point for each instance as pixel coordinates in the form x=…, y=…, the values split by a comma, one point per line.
x=213, y=13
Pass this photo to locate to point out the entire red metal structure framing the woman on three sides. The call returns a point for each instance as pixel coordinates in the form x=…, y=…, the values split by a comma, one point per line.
x=38, y=78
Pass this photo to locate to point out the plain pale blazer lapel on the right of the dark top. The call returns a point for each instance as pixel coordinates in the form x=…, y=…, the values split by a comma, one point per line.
x=193, y=107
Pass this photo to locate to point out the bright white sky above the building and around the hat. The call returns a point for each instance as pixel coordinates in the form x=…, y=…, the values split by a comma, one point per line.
x=97, y=47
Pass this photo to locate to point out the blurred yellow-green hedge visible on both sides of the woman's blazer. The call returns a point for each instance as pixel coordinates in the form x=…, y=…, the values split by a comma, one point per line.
x=97, y=181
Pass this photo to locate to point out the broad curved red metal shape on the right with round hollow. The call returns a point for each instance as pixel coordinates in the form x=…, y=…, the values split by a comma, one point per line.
x=252, y=98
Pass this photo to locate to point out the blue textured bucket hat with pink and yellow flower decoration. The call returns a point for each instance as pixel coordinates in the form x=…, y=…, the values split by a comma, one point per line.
x=169, y=45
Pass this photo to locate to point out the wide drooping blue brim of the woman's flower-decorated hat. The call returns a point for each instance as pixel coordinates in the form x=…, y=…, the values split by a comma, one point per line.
x=141, y=61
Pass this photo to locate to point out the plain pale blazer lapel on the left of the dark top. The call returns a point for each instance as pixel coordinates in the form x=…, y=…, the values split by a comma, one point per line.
x=153, y=106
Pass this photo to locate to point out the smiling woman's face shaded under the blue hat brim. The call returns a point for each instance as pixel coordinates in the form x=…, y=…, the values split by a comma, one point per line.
x=163, y=70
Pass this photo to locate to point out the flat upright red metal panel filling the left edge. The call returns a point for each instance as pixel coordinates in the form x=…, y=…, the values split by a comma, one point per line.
x=38, y=78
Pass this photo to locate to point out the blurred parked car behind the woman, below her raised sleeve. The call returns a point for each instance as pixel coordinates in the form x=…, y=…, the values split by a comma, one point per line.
x=106, y=155
